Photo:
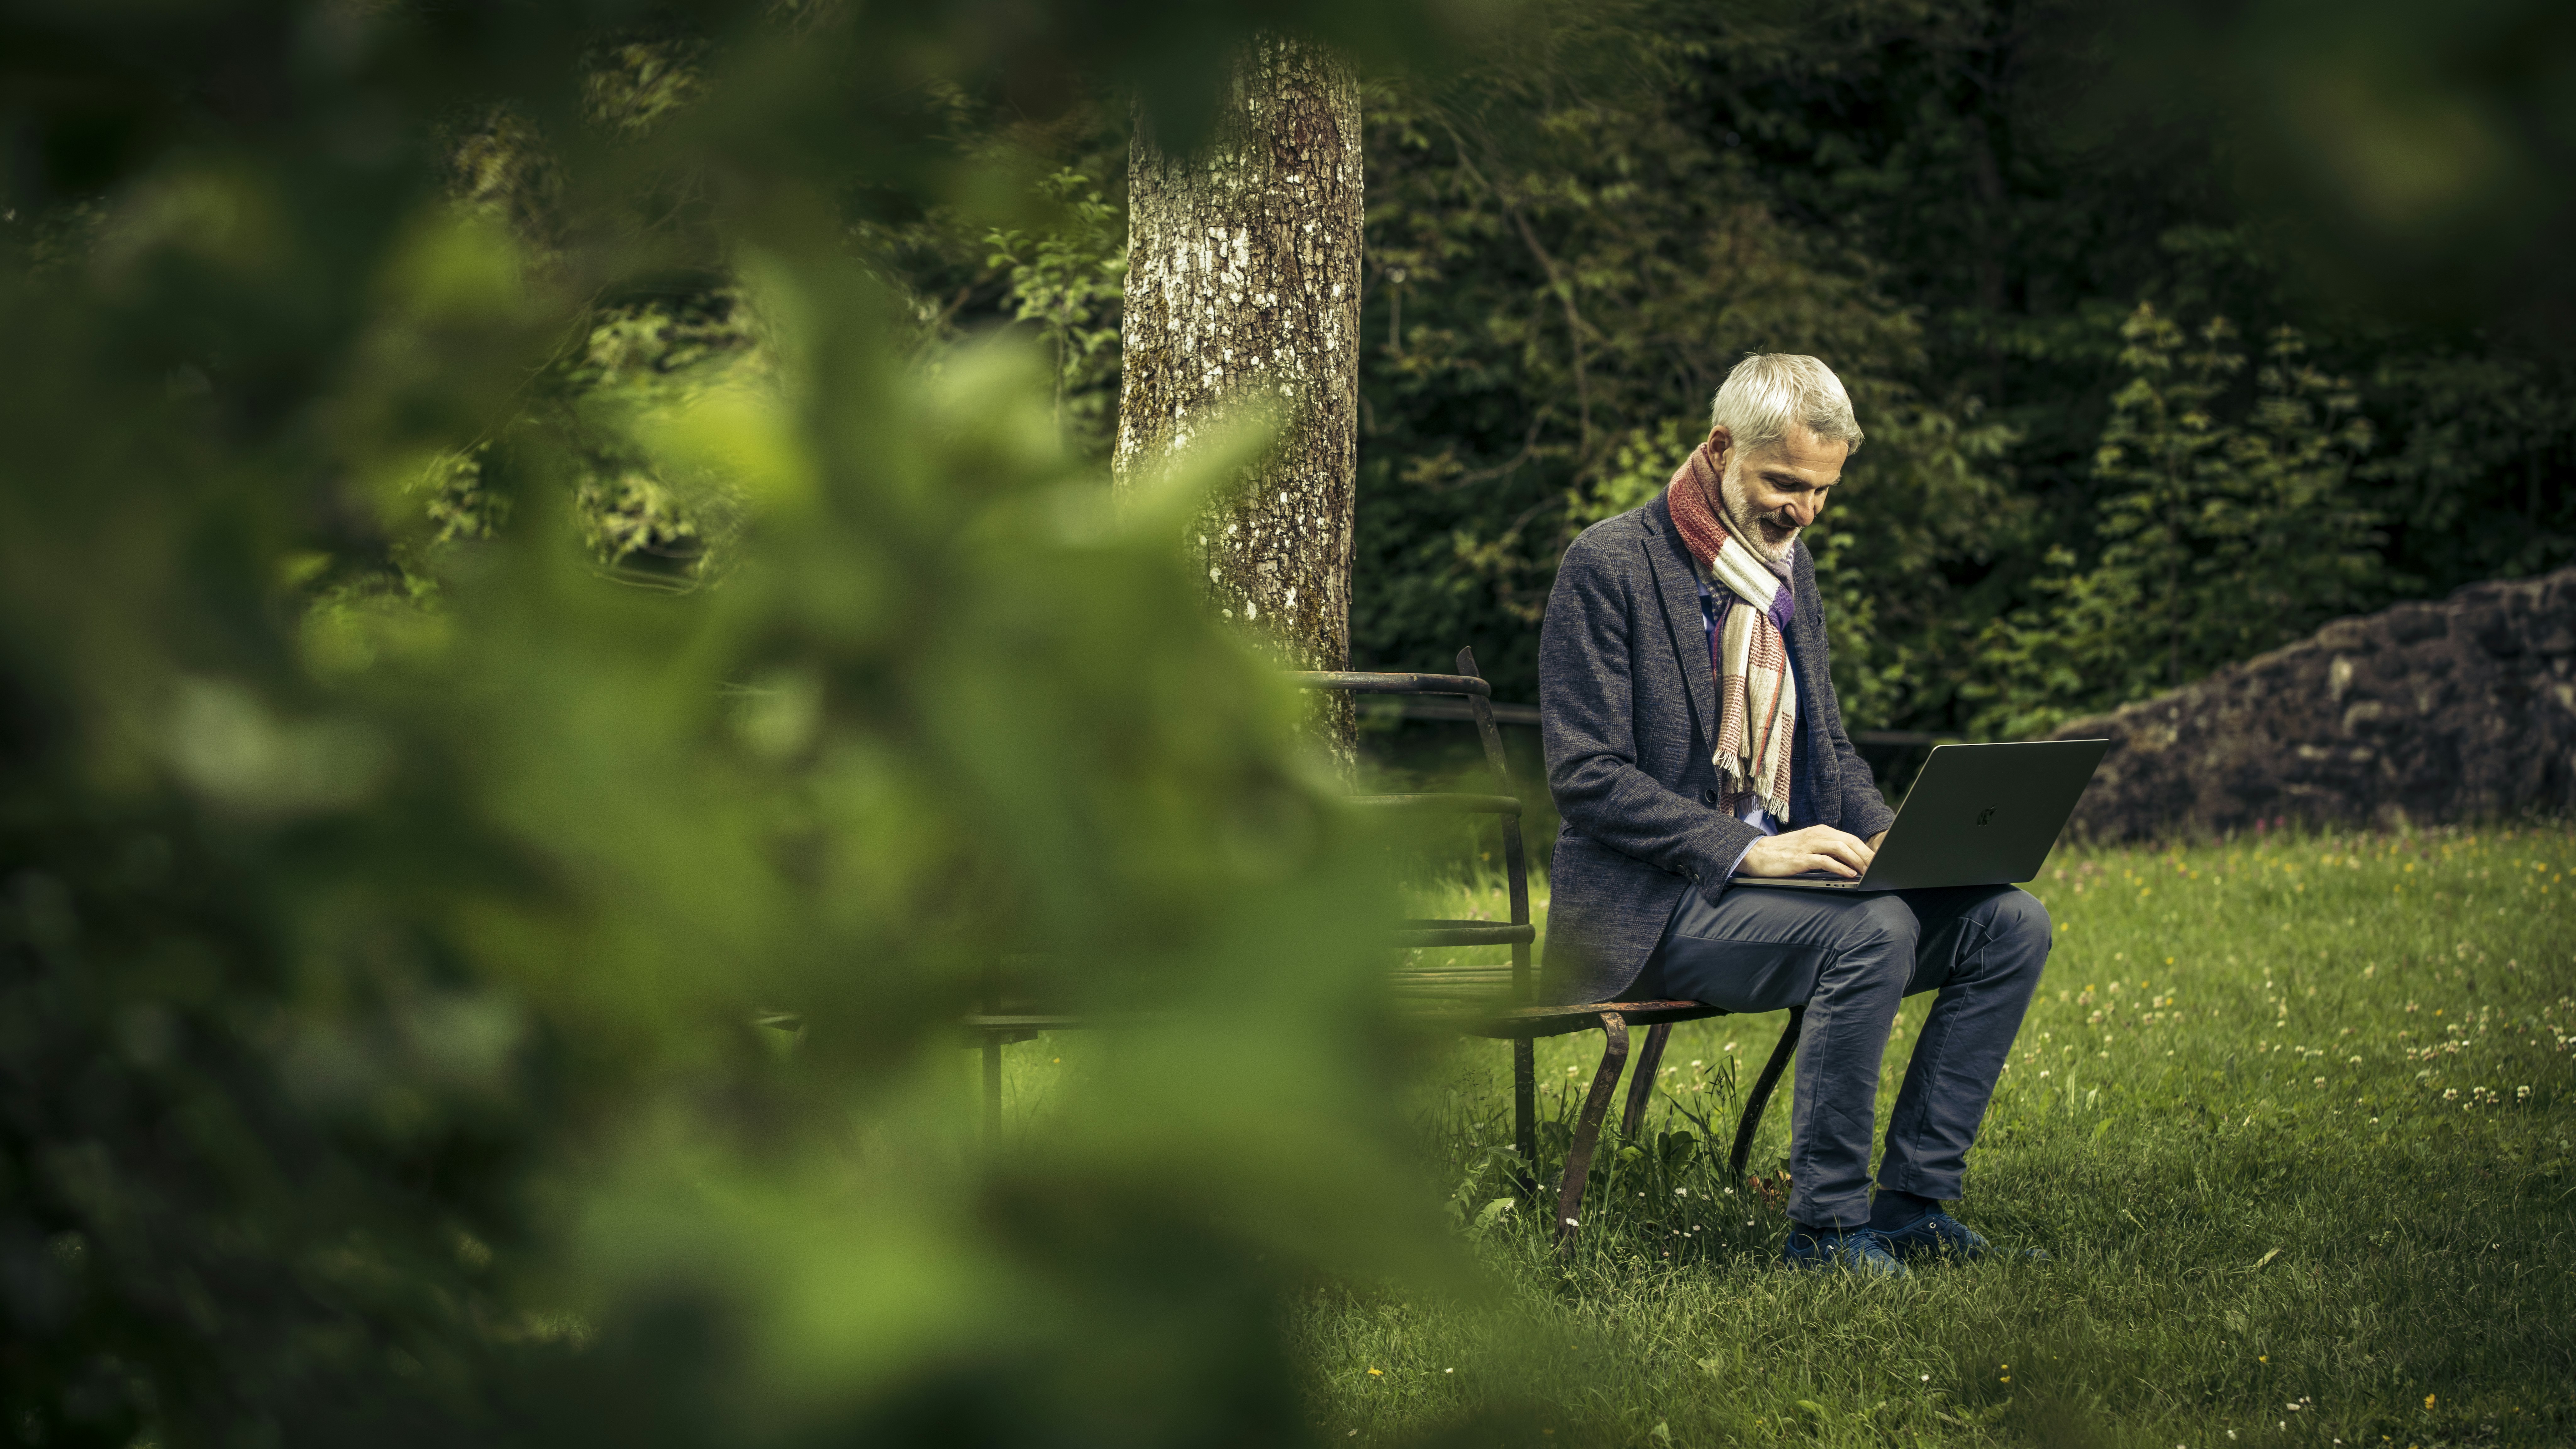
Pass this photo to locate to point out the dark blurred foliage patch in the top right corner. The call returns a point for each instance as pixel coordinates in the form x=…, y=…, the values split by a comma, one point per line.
x=2412, y=159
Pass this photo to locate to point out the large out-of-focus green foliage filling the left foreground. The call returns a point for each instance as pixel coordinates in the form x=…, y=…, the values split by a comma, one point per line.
x=455, y=997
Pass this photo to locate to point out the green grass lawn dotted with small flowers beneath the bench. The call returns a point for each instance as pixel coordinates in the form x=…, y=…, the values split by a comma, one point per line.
x=2291, y=1120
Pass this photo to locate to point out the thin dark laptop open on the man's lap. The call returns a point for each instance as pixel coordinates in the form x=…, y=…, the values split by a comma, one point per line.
x=1977, y=816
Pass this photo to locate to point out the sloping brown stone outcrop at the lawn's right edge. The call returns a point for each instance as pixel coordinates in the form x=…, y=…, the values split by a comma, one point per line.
x=2425, y=713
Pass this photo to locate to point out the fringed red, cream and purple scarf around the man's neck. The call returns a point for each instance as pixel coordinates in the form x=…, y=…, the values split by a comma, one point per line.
x=1758, y=713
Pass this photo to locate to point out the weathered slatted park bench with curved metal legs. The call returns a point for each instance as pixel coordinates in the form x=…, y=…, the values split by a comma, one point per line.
x=1477, y=1002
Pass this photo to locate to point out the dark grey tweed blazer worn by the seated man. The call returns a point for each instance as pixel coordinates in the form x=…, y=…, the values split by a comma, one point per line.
x=1629, y=715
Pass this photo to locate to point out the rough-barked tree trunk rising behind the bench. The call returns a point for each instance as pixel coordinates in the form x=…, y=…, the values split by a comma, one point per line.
x=1243, y=293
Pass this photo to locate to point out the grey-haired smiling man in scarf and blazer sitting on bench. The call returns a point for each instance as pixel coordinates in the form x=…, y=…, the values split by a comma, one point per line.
x=1694, y=736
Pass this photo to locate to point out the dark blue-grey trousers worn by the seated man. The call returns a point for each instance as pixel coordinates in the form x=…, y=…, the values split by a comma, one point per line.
x=1851, y=960
